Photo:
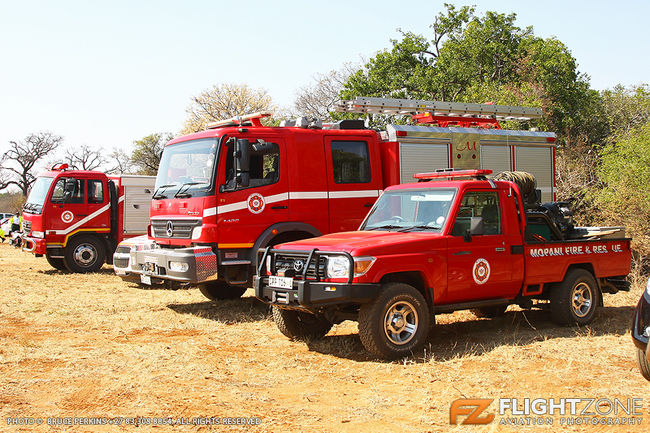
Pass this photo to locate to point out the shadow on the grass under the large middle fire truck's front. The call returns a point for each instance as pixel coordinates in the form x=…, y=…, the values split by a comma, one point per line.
x=242, y=310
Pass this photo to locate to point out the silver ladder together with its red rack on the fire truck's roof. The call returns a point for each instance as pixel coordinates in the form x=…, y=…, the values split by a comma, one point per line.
x=440, y=112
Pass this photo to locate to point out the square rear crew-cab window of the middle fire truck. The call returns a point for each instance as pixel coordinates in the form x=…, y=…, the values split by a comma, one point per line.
x=351, y=162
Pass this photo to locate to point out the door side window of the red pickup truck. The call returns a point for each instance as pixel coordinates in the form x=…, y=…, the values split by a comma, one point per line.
x=484, y=204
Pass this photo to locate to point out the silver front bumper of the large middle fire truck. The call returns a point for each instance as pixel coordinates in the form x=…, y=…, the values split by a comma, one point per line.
x=154, y=265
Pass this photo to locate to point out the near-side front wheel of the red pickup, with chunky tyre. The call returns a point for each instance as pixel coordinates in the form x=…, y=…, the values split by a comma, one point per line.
x=396, y=323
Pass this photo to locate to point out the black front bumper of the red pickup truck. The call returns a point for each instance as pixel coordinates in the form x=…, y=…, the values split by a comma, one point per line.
x=311, y=295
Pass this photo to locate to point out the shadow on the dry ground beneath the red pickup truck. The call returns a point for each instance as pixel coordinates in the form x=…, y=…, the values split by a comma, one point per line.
x=476, y=337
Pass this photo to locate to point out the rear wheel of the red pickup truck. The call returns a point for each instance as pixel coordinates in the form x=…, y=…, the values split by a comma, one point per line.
x=575, y=300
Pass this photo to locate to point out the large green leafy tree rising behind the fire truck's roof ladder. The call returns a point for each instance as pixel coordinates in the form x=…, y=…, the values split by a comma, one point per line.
x=470, y=58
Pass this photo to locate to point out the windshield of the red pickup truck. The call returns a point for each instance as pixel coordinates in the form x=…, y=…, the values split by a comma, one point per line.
x=411, y=210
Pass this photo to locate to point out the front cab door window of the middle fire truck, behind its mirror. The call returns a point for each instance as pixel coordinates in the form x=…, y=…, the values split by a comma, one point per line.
x=264, y=166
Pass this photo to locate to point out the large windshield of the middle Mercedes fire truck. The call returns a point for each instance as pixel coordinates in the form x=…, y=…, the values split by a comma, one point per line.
x=186, y=169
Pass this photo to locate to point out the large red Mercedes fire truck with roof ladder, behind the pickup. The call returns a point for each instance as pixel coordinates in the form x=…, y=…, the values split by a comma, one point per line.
x=223, y=193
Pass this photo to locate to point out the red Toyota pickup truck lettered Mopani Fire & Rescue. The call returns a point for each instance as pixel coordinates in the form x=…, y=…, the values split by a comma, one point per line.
x=461, y=242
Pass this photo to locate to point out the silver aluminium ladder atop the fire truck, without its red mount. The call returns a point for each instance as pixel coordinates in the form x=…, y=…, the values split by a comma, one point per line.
x=438, y=108
